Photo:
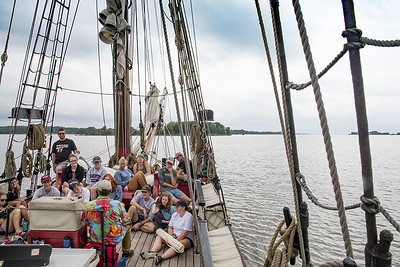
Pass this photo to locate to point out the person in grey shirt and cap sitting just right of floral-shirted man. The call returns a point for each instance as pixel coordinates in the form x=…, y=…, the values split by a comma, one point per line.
x=140, y=211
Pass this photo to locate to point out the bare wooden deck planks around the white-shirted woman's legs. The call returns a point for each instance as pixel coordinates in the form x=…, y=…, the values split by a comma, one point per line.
x=142, y=242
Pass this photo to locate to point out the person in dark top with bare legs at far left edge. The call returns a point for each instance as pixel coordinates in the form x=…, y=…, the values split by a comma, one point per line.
x=14, y=214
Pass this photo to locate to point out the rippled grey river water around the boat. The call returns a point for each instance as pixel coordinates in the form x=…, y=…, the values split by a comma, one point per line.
x=256, y=184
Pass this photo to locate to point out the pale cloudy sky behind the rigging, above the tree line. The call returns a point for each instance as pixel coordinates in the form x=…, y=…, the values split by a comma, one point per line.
x=234, y=73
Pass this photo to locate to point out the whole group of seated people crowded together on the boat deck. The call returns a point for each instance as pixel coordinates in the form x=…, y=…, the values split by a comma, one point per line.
x=103, y=190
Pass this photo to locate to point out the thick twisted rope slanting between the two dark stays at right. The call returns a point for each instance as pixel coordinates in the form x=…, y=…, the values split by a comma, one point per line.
x=325, y=128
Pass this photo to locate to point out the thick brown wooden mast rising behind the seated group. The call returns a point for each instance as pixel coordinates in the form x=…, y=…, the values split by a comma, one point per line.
x=122, y=114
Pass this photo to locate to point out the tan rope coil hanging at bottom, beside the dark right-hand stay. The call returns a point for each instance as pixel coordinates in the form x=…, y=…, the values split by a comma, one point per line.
x=276, y=257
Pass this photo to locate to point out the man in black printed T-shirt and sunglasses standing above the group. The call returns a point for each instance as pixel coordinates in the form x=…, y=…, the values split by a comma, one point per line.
x=61, y=150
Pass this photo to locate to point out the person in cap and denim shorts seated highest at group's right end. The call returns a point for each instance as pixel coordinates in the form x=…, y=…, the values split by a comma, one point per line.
x=167, y=177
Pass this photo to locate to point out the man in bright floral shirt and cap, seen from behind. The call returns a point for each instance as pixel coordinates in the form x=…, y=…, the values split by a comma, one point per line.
x=116, y=220
